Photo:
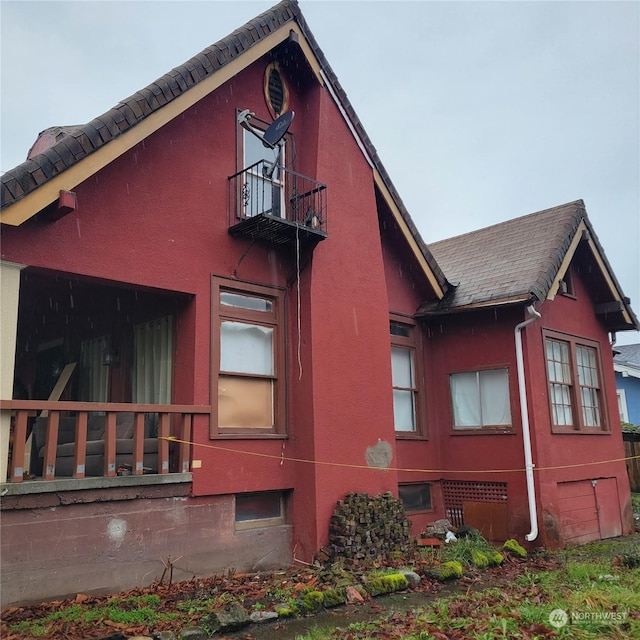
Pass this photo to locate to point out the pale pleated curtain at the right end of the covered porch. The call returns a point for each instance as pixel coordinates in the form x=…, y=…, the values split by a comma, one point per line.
x=153, y=361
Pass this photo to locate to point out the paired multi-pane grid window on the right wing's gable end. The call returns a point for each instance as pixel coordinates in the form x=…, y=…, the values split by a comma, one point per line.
x=573, y=375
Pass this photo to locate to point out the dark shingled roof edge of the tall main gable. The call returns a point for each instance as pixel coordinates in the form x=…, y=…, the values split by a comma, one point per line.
x=83, y=140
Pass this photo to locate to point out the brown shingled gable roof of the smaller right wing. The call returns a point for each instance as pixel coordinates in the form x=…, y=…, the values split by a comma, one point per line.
x=524, y=260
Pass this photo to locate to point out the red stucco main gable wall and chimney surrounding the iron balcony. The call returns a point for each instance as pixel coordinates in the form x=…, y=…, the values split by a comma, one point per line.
x=157, y=216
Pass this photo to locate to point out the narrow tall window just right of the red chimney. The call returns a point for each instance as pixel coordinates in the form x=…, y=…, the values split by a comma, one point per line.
x=406, y=377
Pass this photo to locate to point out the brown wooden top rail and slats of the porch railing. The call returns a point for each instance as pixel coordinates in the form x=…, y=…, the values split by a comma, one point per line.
x=173, y=421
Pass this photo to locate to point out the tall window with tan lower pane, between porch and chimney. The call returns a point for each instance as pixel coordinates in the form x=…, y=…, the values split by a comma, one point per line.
x=248, y=359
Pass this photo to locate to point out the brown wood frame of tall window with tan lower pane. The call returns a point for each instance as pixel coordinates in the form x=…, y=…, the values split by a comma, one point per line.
x=274, y=319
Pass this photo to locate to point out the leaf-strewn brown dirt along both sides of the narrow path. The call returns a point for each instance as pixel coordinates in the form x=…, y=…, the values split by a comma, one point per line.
x=260, y=591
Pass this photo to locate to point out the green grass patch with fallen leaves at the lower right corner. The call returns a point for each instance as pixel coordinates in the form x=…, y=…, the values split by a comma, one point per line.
x=601, y=600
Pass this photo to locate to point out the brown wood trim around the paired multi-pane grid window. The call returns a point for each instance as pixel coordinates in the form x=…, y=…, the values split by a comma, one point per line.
x=576, y=404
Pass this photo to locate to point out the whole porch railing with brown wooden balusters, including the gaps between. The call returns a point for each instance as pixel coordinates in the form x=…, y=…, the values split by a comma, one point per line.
x=80, y=439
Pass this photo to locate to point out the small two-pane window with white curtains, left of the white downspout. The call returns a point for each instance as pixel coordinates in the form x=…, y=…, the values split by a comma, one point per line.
x=481, y=399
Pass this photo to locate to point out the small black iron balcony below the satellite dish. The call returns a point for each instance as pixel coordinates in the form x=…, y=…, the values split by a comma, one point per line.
x=280, y=206
